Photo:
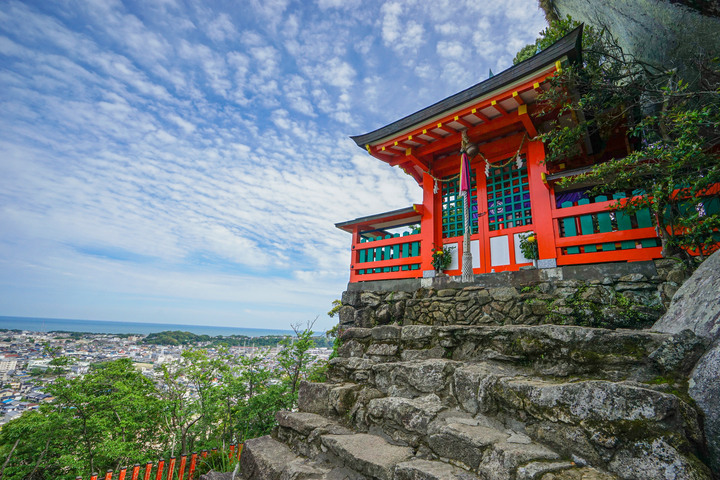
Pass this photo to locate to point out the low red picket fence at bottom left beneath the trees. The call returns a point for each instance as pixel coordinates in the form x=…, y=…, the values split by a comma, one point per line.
x=145, y=472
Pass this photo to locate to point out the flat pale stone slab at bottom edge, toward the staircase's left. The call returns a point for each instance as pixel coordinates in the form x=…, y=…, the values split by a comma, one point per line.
x=370, y=455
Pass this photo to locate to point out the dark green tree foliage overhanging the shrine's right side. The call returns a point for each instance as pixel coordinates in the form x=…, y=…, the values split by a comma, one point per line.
x=672, y=124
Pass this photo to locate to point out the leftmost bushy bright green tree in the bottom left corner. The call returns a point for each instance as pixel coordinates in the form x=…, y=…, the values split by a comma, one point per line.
x=103, y=420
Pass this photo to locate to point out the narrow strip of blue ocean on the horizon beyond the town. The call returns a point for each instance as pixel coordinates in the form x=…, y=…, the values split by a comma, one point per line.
x=100, y=326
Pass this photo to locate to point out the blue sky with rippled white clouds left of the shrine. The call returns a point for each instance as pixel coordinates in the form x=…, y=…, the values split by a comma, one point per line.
x=183, y=161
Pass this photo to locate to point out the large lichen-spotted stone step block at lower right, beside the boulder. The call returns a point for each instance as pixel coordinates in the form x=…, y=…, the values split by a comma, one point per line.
x=622, y=427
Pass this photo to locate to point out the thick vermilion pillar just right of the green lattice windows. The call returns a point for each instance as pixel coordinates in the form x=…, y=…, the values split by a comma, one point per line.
x=541, y=199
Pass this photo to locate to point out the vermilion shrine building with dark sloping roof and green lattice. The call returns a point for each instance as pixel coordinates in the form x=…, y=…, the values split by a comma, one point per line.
x=513, y=191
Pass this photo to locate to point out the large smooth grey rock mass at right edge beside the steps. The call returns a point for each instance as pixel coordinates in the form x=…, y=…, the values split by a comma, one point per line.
x=696, y=307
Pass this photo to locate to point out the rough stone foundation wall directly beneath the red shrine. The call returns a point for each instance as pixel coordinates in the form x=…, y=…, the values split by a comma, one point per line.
x=614, y=295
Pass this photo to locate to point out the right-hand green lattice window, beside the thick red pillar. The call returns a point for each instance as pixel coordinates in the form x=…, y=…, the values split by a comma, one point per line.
x=508, y=197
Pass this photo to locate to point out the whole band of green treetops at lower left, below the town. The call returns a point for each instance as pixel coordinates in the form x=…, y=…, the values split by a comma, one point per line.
x=115, y=416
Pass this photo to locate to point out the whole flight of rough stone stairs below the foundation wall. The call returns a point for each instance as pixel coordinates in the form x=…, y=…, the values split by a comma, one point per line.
x=511, y=402
